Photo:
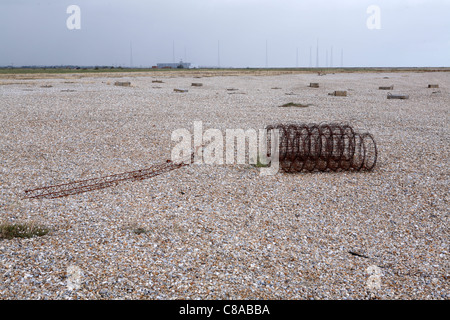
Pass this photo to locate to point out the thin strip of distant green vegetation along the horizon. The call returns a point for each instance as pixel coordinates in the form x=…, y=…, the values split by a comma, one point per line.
x=109, y=69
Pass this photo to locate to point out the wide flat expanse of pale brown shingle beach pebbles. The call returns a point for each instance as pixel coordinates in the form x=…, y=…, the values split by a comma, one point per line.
x=223, y=232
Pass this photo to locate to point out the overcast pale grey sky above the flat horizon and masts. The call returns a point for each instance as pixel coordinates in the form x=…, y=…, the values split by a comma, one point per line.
x=232, y=33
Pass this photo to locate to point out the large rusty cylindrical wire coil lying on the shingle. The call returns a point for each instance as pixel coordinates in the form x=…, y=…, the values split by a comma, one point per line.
x=323, y=147
